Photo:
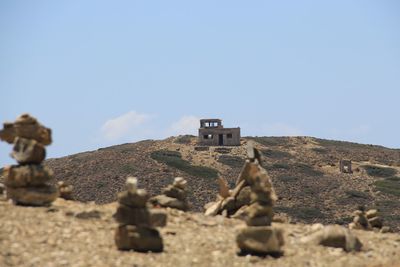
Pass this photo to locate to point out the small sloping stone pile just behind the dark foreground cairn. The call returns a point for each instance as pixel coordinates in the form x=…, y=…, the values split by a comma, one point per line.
x=174, y=196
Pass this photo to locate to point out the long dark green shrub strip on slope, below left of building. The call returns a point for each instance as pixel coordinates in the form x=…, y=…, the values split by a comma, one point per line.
x=174, y=159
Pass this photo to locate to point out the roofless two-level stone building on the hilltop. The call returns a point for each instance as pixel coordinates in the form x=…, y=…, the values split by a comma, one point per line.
x=212, y=133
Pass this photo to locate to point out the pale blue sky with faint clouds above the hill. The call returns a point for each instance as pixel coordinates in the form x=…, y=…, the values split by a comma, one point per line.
x=108, y=72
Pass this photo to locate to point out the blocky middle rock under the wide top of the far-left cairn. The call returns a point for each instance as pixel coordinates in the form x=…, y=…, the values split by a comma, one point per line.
x=28, y=151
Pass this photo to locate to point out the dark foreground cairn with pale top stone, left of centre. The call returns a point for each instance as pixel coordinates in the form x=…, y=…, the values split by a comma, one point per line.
x=136, y=229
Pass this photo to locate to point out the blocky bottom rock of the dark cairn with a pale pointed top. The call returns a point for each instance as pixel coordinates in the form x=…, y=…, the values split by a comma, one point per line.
x=142, y=239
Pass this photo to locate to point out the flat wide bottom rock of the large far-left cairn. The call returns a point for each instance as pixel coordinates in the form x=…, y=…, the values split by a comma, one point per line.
x=33, y=196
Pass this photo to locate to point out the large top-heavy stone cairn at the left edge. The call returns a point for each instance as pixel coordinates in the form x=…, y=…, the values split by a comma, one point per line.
x=28, y=183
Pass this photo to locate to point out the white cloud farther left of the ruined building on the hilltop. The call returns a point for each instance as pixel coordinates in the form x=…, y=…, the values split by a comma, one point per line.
x=123, y=125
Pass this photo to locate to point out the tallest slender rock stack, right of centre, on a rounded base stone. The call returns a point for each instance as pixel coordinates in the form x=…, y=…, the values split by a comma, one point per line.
x=259, y=237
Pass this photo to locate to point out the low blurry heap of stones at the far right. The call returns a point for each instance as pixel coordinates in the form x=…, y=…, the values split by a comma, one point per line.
x=368, y=220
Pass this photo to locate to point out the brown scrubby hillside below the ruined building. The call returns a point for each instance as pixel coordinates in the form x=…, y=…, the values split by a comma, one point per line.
x=304, y=170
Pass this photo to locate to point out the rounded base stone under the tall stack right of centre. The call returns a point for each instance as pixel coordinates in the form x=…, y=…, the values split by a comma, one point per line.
x=260, y=240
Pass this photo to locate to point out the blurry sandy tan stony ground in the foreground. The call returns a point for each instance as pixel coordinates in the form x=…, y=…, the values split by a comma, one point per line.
x=70, y=233
